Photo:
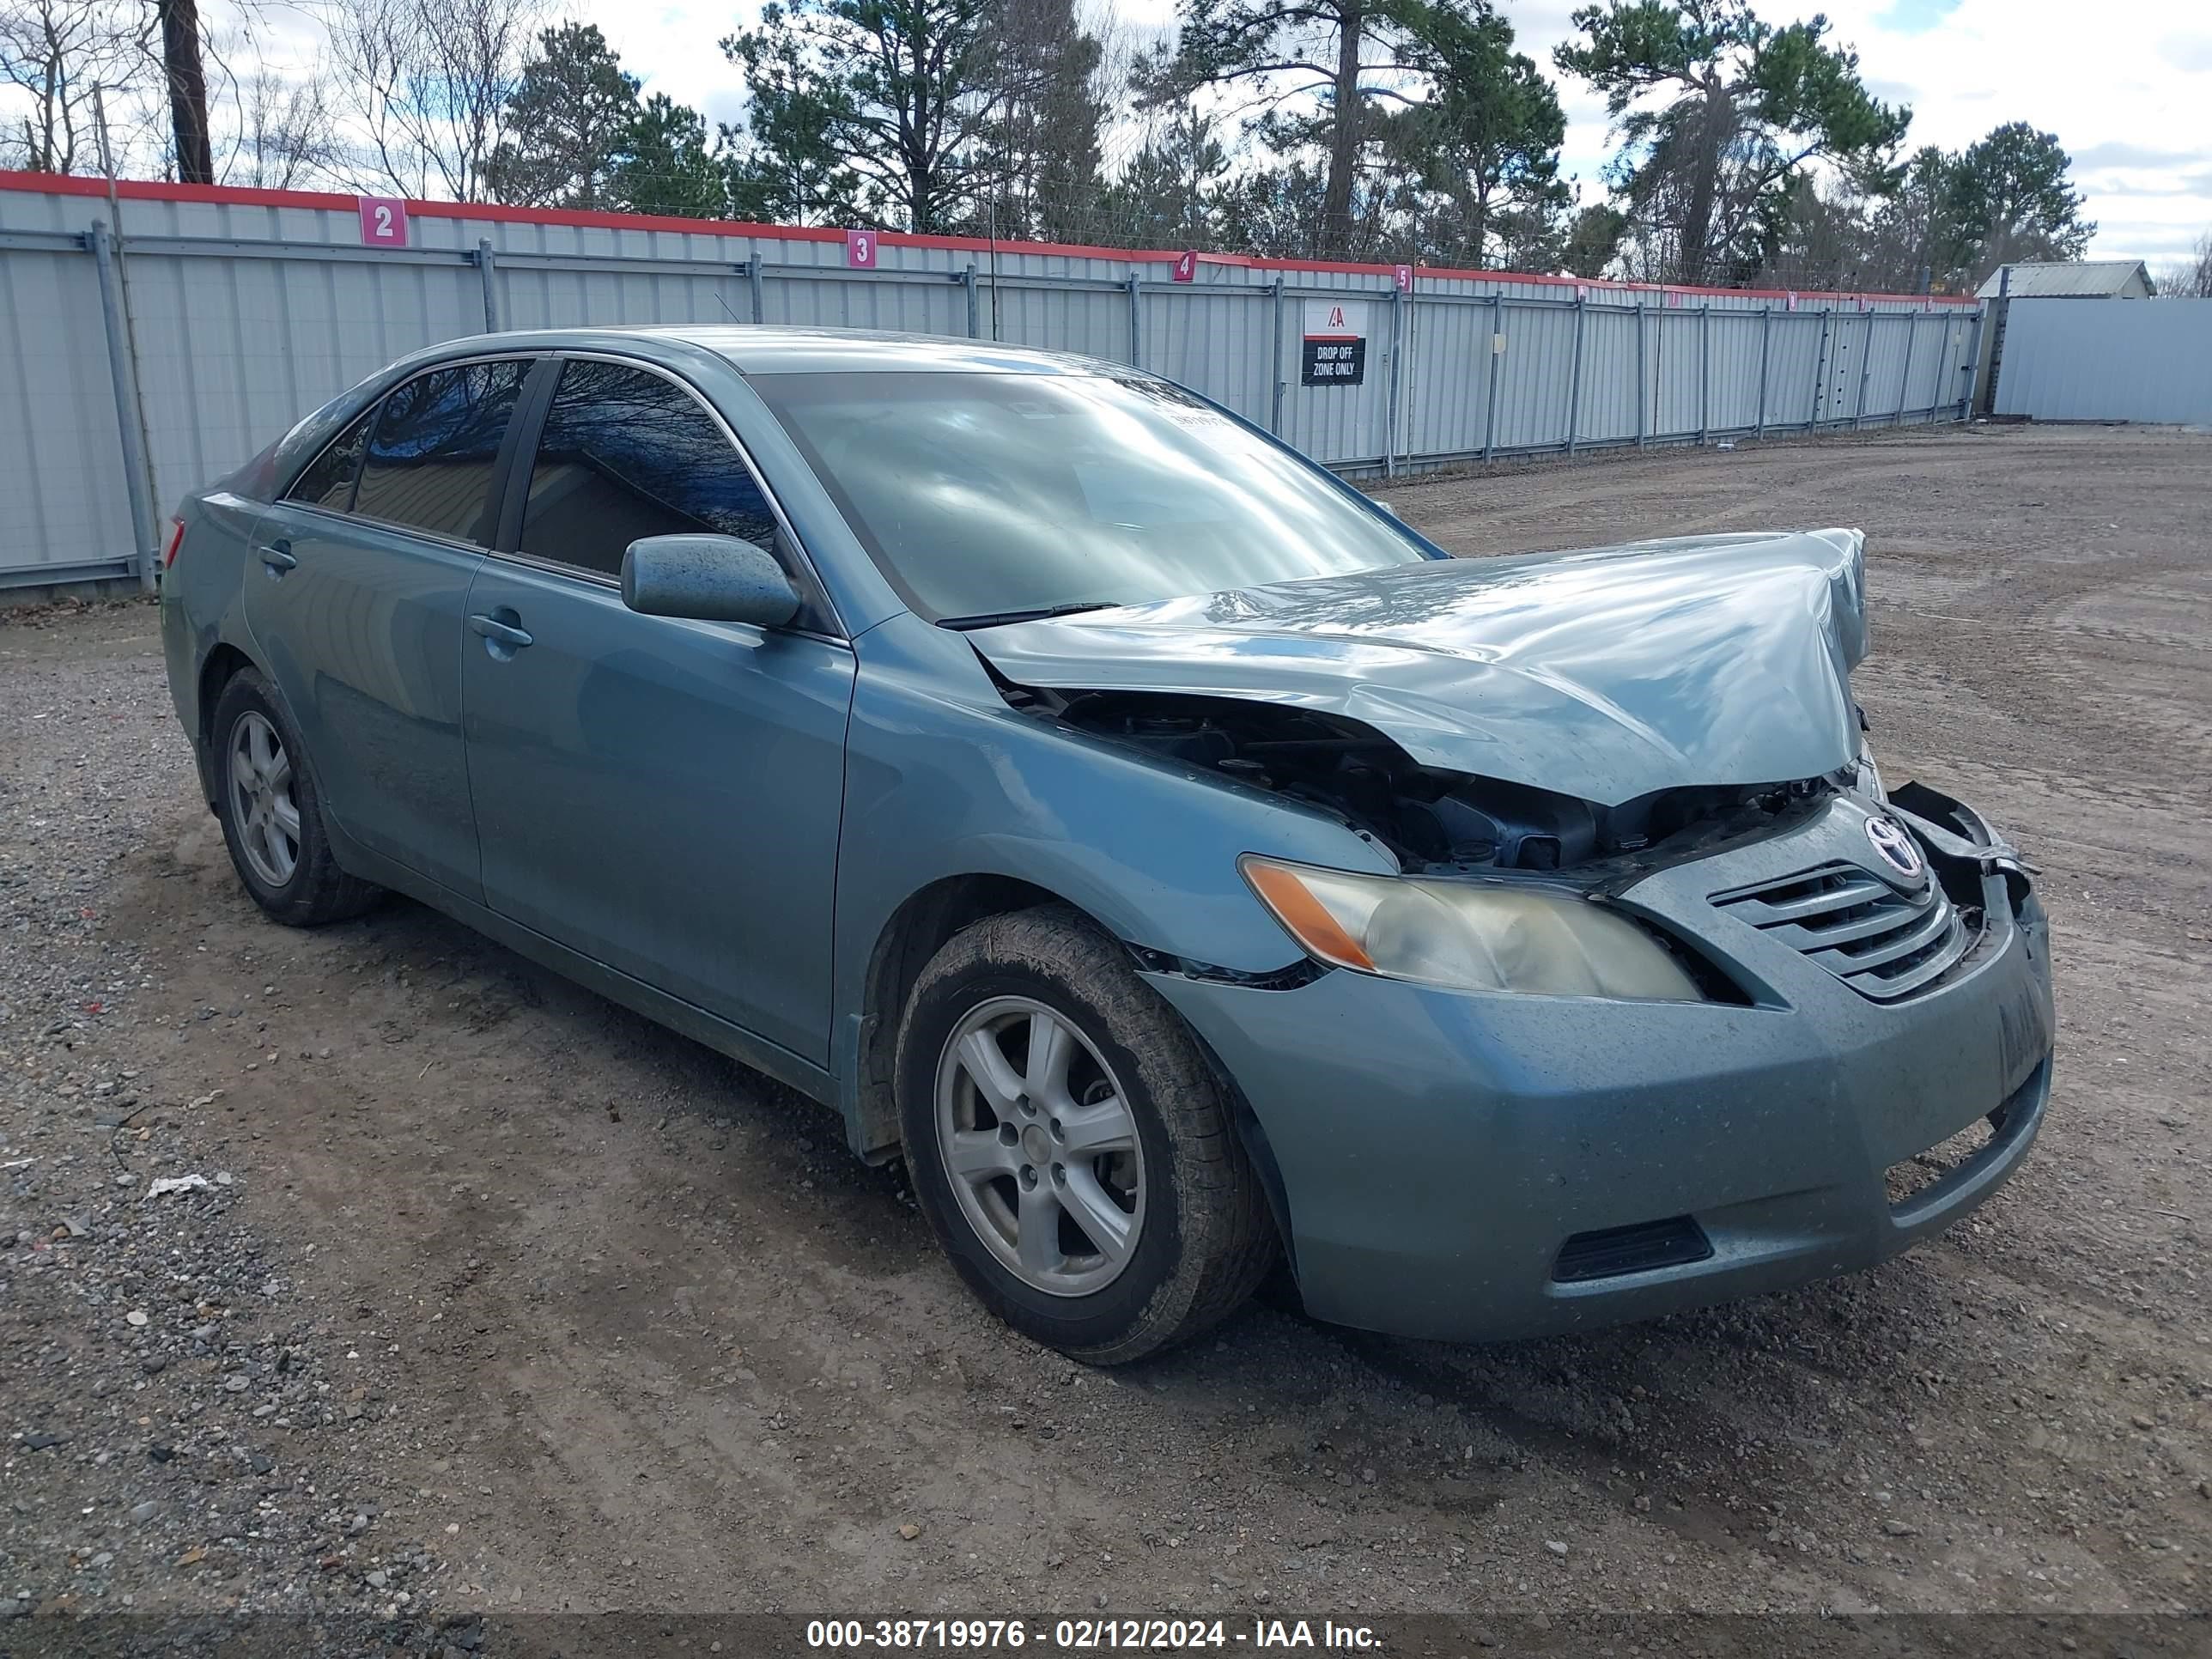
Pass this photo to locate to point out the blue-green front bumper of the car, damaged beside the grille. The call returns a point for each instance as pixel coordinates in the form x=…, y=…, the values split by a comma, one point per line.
x=1488, y=1167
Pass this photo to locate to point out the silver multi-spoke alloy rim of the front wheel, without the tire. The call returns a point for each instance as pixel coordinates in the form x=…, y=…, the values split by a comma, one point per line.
x=1041, y=1147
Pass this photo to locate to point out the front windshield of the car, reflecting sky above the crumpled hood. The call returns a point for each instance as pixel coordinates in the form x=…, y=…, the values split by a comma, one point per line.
x=992, y=494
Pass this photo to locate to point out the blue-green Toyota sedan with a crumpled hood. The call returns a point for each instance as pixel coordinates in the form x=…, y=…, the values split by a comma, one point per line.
x=1167, y=853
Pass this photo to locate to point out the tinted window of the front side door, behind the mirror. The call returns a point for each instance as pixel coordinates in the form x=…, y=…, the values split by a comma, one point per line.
x=629, y=455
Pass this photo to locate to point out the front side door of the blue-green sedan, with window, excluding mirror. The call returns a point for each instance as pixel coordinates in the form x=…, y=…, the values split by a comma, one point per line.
x=658, y=795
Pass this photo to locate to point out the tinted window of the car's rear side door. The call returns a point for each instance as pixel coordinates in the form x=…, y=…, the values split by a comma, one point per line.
x=437, y=441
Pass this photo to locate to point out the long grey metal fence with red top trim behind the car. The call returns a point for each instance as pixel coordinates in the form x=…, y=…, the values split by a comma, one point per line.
x=169, y=333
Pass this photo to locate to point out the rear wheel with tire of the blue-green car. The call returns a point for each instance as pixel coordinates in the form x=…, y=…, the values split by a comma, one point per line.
x=273, y=815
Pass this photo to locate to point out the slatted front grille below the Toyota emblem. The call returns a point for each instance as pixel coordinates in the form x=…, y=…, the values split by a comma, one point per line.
x=1881, y=943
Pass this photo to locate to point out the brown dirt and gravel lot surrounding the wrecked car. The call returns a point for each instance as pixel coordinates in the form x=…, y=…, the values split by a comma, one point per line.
x=503, y=1300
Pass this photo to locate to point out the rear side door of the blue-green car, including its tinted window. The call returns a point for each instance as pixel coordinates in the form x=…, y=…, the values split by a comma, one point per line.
x=355, y=596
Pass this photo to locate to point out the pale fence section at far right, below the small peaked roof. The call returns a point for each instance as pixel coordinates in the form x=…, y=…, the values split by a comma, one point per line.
x=2107, y=359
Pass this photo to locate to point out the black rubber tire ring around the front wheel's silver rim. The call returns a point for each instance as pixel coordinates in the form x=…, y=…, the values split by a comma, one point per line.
x=1070, y=1324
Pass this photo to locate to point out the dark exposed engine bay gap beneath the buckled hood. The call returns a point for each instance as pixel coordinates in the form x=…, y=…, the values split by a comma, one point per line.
x=1423, y=815
